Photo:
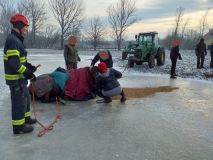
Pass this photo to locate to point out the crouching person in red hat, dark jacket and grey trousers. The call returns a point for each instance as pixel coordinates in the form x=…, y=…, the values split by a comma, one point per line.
x=107, y=84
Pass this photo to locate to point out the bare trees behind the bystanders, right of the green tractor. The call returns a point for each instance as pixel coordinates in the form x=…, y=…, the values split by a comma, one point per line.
x=189, y=37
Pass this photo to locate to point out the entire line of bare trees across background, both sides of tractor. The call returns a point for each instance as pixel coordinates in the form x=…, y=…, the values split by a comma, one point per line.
x=52, y=21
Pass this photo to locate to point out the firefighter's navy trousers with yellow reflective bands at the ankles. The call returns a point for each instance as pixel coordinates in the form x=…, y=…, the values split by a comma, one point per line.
x=20, y=99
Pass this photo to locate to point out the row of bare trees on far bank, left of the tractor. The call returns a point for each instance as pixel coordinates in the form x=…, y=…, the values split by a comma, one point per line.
x=69, y=20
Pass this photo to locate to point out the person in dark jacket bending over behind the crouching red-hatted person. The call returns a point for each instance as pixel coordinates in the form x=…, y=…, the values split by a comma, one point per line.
x=103, y=56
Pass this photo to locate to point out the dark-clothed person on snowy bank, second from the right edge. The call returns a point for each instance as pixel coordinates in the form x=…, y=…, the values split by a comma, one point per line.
x=200, y=52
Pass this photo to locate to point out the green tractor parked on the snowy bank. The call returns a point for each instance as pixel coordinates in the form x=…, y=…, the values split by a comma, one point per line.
x=146, y=49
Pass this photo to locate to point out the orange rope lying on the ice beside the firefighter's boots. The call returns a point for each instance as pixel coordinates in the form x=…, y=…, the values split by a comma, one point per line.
x=57, y=116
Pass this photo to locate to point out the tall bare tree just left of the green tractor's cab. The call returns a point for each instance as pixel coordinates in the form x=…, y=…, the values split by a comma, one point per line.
x=120, y=17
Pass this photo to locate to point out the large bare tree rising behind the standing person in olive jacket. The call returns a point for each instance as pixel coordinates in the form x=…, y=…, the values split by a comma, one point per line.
x=67, y=13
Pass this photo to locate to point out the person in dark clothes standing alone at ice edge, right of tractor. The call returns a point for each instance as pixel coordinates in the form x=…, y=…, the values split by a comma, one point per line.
x=174, y=55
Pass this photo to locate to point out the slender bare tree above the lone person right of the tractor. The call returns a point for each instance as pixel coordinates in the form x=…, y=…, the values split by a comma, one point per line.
x=178, y=21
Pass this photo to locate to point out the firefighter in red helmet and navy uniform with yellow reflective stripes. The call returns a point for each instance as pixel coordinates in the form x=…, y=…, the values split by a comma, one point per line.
x=17, y=71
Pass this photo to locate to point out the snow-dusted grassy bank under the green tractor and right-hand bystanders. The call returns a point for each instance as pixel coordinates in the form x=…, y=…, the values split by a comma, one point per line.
x=187, y=68
